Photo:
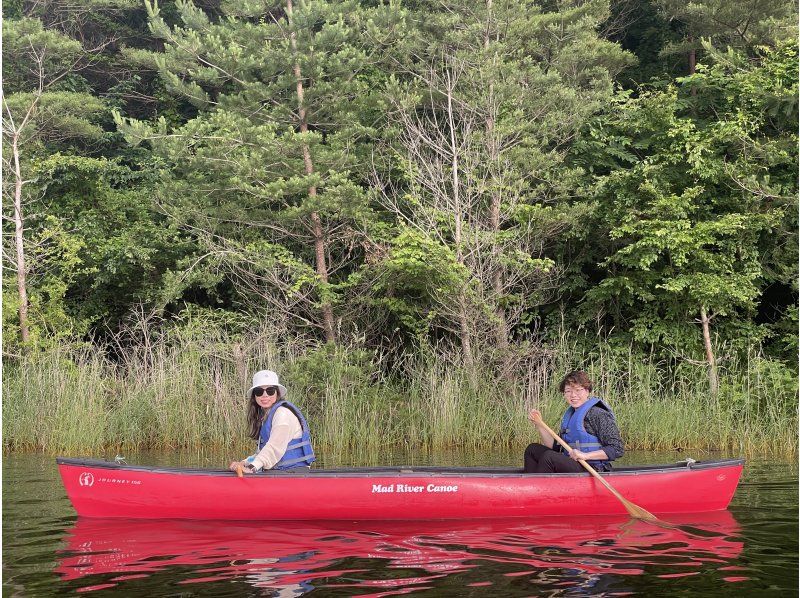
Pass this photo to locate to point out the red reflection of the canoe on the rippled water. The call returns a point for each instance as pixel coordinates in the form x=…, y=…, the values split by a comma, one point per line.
x=297, y=556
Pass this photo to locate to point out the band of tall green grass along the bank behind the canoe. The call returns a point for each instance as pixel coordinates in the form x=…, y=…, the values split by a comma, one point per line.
x=187, y=390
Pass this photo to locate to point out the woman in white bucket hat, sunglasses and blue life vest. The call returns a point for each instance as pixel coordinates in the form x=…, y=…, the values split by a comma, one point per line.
x=283, y=437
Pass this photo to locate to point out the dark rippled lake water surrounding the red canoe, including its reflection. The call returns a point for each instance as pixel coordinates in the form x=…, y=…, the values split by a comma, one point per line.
x=750, y=549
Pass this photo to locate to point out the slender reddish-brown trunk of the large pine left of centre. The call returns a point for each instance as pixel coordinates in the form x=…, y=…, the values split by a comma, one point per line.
x=316, y=221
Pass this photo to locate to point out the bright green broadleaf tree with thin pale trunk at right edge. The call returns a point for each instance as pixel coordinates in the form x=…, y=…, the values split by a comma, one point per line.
x=698, y=194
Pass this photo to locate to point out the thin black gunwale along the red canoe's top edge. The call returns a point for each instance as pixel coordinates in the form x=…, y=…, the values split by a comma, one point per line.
x=403, y=471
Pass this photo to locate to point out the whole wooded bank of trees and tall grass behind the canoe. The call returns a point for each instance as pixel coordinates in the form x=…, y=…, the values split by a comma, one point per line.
x=421, y=214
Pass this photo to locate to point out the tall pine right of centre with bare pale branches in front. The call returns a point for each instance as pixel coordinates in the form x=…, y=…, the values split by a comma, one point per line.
x=496, y=94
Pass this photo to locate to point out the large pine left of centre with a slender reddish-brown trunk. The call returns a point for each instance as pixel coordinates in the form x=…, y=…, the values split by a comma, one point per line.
x=269, y=173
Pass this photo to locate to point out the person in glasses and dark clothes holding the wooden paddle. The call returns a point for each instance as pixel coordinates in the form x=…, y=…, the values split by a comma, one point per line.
x=588, y=424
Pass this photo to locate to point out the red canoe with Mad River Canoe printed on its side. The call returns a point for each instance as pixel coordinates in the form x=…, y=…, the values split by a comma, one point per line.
x=102, y=489
